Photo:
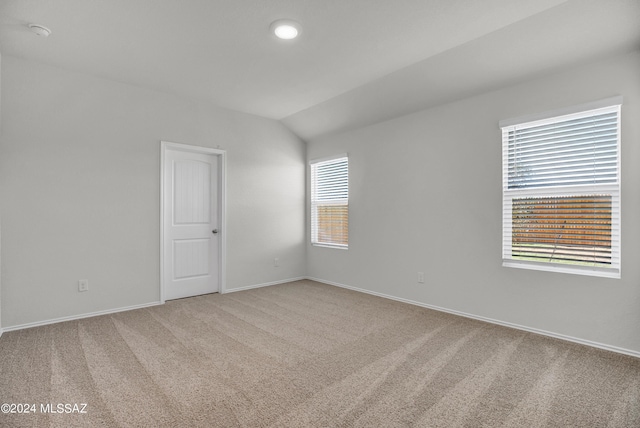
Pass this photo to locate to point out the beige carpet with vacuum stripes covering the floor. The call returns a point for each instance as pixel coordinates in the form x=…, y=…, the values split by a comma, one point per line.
x=305, y=354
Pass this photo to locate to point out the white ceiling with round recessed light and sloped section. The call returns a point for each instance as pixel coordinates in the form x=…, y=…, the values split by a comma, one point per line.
x=356, y=61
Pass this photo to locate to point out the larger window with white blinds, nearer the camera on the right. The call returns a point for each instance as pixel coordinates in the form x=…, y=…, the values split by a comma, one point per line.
x=561, y=191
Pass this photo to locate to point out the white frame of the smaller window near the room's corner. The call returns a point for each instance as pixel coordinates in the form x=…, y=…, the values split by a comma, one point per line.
x=315, y=203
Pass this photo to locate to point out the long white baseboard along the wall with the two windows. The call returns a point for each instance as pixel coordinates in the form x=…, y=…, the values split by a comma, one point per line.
x=489, y=320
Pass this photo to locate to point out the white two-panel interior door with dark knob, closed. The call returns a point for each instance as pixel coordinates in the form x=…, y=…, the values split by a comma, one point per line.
x=190, y=224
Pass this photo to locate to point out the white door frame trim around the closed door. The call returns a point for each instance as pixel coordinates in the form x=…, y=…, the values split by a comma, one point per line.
x=221, y=203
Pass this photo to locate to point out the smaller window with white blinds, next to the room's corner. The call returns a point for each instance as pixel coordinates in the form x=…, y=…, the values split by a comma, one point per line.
x=330, y=202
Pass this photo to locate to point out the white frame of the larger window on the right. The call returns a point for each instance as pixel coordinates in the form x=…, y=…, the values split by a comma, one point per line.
x=613, y=189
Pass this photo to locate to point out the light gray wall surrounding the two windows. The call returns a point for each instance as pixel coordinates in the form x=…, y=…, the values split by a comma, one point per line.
x=425, y=195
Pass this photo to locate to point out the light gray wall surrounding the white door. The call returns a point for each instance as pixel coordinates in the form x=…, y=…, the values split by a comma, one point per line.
x=80, y=191
